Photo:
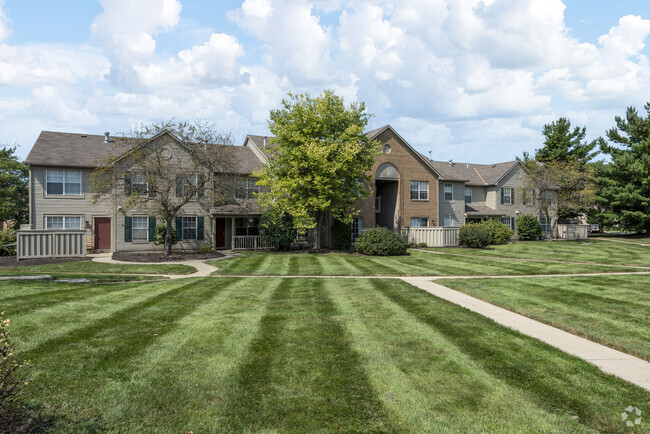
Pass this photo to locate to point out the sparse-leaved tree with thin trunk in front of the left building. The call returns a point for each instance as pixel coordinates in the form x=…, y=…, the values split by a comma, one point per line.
x=170, y=164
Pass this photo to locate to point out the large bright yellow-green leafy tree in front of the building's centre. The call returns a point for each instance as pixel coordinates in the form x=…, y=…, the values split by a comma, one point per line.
x=320, y=162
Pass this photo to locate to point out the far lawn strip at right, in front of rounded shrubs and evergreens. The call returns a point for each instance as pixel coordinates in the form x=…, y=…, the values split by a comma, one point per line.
x=592, y=250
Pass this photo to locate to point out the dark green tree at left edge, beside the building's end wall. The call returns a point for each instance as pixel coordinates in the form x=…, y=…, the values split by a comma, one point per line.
x=14, y=187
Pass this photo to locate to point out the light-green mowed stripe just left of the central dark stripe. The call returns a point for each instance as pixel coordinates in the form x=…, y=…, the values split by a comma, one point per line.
x=185, y=378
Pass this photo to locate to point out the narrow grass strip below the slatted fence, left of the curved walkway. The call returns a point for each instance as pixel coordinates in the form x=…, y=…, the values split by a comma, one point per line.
x=98, y=267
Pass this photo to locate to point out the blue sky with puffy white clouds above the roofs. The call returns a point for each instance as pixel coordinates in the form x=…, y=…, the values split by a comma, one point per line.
x=468, y=80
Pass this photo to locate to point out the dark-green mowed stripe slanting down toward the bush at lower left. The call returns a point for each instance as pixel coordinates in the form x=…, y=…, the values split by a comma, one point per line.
x=107, y=348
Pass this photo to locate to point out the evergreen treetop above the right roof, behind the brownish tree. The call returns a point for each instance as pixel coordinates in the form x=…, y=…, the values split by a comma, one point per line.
x=563, y=144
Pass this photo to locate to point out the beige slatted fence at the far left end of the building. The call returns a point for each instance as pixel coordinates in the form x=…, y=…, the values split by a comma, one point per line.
x=50, y=244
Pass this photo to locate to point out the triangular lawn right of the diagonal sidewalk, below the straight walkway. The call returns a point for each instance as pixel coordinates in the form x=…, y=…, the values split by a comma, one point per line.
x=611, y=310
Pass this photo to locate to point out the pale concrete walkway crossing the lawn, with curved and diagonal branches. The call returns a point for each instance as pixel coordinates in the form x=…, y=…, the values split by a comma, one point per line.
x=622, y=365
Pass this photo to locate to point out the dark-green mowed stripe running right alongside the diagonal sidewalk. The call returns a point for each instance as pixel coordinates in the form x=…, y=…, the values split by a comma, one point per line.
x=549, y=378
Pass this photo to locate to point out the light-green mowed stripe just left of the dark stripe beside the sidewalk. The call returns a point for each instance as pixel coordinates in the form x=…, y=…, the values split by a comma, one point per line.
x=412, y=367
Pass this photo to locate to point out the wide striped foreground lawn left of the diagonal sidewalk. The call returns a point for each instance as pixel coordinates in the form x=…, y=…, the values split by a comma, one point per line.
x=294, y=355
